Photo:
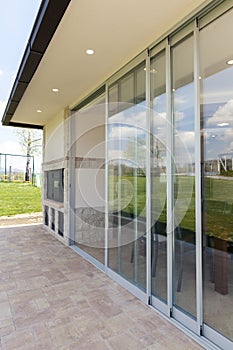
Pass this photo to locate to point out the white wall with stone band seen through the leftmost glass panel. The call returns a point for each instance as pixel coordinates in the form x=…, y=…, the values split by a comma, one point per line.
x=90, y=151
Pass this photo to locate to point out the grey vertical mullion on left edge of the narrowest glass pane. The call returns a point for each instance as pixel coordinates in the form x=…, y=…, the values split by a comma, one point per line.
x=148, y=181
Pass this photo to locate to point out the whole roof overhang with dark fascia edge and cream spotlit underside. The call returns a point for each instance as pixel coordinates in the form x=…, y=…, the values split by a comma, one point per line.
x=55, y=55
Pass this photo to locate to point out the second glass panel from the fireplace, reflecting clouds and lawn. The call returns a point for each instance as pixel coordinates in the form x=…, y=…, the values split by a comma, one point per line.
x=127, y=181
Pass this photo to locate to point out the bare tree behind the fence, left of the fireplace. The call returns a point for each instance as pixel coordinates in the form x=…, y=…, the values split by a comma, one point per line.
x=31, y=142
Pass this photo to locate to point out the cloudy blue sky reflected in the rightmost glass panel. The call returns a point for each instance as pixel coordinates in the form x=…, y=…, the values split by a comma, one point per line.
x=217, y=109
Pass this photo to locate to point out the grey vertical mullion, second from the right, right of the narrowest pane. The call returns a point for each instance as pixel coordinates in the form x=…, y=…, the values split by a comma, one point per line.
x=169, y=183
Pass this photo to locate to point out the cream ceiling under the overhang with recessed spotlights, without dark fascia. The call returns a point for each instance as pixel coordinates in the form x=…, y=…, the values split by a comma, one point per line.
x=116, y=30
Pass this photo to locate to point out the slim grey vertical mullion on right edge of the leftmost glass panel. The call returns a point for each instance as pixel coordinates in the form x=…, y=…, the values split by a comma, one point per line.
x=106, y=182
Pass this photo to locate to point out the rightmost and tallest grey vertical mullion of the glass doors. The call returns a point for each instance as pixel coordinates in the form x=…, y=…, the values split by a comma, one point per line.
x=199, y=301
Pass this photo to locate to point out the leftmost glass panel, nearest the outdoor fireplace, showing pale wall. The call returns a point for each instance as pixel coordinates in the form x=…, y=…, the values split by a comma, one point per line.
x=89, y=175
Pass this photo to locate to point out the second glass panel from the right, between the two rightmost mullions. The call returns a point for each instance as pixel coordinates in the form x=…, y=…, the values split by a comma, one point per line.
x=184, y=278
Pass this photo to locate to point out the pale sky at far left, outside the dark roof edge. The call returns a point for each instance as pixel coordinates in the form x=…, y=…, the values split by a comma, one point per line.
x=16, y=21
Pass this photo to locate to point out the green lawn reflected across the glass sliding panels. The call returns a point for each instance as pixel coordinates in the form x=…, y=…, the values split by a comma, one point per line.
x=218, y=218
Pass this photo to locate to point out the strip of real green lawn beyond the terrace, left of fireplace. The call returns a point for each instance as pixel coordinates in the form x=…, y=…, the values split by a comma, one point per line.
x=19, y=198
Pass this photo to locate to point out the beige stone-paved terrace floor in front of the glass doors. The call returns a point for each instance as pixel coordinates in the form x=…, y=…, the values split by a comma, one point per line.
x=51, y=298
